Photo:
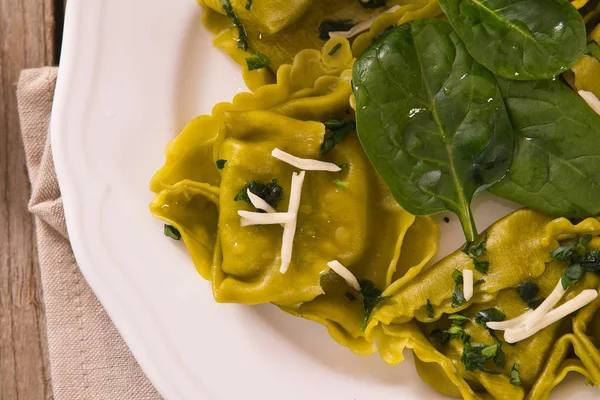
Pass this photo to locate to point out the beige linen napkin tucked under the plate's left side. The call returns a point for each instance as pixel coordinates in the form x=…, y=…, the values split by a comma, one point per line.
x=88, y=358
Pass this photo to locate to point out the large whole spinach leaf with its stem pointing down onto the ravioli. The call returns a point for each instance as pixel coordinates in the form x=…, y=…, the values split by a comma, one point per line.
x=431, y=120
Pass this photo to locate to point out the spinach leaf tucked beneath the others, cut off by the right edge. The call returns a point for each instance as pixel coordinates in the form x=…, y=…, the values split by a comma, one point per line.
x=556, y=165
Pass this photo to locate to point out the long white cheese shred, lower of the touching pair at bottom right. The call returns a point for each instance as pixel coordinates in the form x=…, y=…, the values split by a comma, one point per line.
x=581, y=300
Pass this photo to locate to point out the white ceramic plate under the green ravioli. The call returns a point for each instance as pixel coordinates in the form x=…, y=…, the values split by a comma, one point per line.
x=133, y=72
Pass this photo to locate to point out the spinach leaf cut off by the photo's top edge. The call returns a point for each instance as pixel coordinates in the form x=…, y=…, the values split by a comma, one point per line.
x=519, y=39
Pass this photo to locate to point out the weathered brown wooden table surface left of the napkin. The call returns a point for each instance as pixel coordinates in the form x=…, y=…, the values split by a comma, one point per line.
x=30, y=32
